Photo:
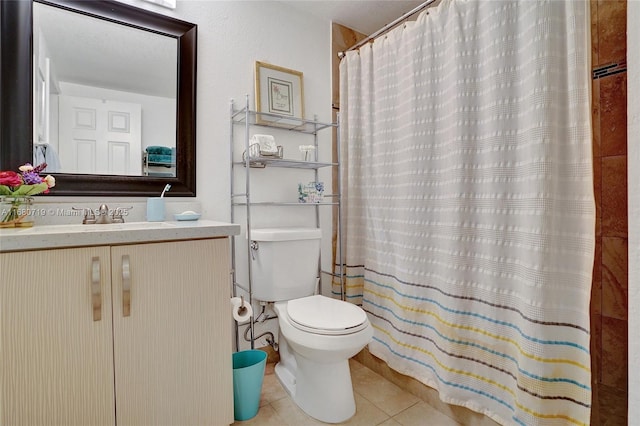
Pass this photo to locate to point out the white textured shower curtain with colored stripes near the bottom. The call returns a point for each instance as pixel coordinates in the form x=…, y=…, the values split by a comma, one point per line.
x=468, y=201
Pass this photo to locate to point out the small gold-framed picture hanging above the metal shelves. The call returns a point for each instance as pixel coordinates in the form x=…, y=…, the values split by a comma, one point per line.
x=279, y=91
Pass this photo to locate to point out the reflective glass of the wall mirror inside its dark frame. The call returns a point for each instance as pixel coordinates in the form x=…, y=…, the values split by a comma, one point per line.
x=94, y=58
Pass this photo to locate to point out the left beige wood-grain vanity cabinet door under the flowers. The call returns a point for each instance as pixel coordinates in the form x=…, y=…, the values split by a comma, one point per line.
x=56, y=357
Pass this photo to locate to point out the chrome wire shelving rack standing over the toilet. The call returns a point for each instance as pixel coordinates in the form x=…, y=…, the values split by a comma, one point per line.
x=246, y=118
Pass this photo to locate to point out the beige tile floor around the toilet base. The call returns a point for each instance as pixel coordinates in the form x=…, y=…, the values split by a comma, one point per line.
x=378, y=402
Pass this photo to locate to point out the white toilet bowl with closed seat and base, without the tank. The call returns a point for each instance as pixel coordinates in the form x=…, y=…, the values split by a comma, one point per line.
x=318, y=335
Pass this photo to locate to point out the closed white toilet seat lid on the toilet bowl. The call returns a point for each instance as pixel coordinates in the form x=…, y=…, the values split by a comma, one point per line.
x=323, y=315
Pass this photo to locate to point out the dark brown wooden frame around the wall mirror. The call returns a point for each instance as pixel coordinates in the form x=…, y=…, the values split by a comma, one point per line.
x=16, y=103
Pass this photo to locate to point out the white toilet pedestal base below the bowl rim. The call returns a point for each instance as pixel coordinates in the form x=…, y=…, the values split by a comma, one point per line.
x=322, y=390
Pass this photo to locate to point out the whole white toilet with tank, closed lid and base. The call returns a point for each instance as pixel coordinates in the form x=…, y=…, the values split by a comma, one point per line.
x=317, y=334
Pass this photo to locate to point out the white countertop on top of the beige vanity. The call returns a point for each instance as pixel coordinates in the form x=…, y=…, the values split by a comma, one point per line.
x=59, y=236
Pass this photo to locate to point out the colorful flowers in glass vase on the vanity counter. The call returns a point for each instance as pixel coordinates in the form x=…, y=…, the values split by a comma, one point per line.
x=16, y=190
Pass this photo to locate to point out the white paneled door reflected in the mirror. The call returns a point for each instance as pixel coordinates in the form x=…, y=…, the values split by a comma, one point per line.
x=100, y=136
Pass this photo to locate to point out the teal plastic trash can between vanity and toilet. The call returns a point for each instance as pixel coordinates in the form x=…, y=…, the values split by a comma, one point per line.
x=248, y=372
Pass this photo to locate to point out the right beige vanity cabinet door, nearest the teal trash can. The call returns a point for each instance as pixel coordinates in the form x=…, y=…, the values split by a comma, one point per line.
x=172, y=333
